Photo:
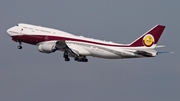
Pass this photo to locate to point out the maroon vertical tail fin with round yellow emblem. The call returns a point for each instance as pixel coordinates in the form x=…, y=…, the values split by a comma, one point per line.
x=150, y=38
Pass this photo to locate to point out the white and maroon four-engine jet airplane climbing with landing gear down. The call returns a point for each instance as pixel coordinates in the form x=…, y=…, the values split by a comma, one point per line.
x=50, y=40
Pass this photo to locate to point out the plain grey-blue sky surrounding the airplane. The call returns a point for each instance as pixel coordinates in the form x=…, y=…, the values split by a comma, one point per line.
x=27, y=75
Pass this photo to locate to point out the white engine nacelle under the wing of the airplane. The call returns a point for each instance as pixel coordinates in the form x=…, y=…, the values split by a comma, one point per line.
x=47, y=47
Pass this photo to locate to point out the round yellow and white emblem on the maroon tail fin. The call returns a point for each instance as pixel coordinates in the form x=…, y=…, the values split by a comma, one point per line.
x=148, y=40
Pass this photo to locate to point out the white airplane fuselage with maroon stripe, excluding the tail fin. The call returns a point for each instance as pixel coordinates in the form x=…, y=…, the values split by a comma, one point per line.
x=80, y=45
